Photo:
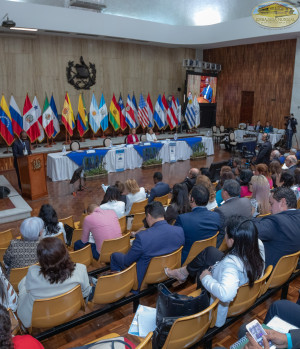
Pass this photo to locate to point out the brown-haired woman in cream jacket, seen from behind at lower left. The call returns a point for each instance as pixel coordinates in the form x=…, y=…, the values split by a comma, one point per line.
x=55, y=275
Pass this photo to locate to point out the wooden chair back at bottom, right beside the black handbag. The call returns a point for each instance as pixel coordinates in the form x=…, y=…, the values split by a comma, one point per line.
x=188, y=330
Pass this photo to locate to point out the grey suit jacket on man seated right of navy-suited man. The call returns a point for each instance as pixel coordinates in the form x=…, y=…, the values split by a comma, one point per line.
x=233, y=206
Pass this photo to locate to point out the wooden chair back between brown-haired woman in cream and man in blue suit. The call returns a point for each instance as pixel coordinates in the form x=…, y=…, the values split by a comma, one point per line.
x=111, y=288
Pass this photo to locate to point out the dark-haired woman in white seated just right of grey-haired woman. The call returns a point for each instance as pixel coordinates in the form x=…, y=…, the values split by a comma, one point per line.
x=51, y=225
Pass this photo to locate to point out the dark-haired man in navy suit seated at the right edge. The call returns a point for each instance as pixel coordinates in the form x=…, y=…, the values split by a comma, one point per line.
x=279, y=232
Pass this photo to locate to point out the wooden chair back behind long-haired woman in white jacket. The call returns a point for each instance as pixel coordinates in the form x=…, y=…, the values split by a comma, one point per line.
x=246, y=296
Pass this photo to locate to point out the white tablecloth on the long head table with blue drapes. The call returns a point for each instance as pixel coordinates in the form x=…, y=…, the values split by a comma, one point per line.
x=61, y=168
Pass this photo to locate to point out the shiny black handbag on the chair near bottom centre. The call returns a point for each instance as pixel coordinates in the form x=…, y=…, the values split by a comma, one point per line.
x=171, y=306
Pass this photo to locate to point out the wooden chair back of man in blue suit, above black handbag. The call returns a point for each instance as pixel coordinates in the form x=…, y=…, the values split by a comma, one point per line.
x=156, y=269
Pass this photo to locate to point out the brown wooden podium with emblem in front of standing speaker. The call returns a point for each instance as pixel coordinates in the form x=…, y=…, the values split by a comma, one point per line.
x=33, y=176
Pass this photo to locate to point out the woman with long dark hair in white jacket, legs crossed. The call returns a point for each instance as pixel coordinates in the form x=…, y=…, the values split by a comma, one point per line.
x=222, y=274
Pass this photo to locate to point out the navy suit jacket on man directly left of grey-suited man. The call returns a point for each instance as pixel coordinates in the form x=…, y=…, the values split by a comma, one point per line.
x=200, y=224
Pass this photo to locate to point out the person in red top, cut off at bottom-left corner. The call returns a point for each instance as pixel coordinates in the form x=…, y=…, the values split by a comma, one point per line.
x=7, y=341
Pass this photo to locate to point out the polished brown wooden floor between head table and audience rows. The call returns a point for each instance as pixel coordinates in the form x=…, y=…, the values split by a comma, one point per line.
x=118, y=321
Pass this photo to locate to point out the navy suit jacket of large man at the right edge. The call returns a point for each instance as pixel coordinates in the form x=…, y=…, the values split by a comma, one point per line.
x=280, y=235
